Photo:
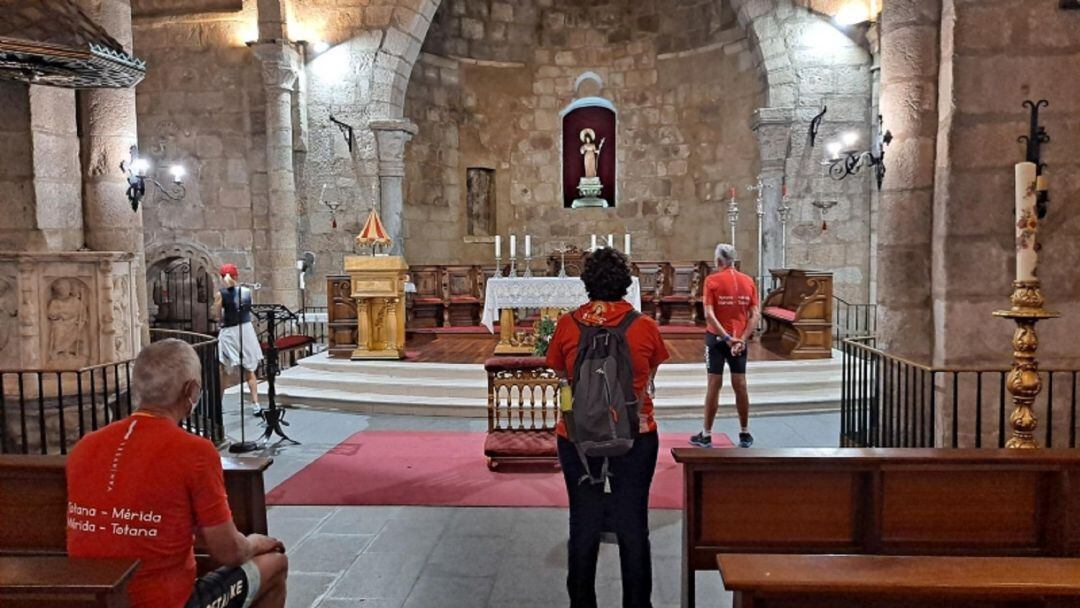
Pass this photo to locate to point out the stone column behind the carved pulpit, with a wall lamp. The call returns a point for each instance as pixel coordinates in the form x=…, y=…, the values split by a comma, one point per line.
x=109, y=133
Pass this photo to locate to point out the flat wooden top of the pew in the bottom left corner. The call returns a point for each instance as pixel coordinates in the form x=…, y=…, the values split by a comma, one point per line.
x=34, y=574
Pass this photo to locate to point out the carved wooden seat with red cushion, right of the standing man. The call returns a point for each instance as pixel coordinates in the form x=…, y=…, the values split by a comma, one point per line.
x=799, y=314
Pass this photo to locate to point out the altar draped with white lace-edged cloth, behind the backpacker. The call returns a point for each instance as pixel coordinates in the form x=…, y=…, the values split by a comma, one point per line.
x=548, y=294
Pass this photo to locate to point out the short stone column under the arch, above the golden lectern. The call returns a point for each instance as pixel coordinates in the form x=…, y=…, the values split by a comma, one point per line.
x=391, y=137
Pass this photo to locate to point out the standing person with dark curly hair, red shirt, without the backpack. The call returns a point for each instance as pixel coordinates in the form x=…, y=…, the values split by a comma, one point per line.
x=607, y=278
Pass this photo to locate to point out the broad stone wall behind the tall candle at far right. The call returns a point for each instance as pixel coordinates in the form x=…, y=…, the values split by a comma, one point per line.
x=985, y=78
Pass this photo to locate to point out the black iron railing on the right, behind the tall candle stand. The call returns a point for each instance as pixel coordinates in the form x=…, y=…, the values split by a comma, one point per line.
x=892, y=402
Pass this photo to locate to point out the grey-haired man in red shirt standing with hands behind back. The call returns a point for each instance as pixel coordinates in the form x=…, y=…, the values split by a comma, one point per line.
x=732, y=315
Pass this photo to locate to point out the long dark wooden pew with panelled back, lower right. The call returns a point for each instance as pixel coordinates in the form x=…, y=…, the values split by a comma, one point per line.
x=965, y=503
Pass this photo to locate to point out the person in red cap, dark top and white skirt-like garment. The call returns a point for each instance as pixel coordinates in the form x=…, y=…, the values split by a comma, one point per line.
x=233, y=306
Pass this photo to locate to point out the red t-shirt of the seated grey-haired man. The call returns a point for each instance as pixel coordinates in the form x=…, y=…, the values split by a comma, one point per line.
x=139, y=489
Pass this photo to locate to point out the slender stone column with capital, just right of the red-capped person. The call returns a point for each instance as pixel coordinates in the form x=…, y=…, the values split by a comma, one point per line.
x=279, y=62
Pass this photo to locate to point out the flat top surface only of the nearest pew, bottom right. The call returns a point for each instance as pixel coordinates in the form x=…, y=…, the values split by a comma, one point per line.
x=909, y=576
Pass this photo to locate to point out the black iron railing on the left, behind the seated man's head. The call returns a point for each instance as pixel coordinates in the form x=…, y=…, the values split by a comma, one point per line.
x=47, y=411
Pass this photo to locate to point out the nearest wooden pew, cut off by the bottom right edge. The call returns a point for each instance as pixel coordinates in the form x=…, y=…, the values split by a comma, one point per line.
x=881, y=582
